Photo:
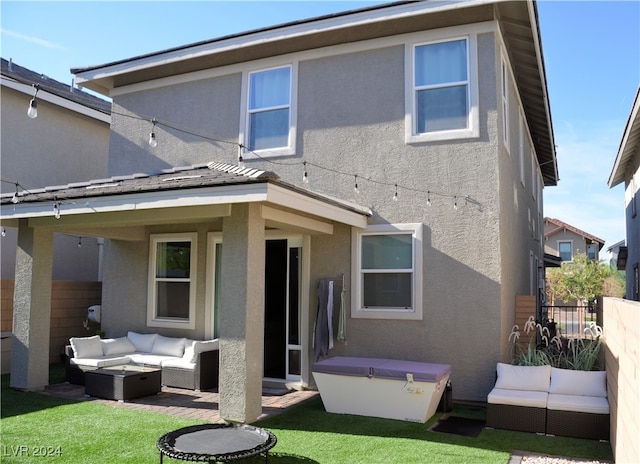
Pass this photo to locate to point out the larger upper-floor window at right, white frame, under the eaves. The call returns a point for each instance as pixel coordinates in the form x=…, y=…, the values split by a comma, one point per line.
x=443, y=92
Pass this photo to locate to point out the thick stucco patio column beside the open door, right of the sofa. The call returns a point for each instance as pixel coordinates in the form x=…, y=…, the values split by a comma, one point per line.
x=242, y=314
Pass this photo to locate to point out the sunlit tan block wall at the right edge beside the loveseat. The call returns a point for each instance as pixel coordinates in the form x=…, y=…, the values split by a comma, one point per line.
x=622, y=341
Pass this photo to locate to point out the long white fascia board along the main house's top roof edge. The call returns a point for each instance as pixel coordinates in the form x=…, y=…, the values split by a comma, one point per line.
x=260, y=38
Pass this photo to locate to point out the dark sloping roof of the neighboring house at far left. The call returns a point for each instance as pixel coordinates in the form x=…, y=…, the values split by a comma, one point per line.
x=25, y=76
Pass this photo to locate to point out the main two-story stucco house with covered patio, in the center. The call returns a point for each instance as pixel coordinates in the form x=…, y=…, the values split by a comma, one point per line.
x=432, y=116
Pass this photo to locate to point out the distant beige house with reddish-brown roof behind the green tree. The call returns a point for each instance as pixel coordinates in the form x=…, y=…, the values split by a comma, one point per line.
x=564, y=240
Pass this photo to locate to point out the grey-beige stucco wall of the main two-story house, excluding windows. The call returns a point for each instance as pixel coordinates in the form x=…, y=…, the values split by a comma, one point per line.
x=351, y=118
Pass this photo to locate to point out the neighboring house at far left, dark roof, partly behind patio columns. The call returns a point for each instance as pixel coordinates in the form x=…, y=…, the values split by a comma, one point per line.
x=52, y=134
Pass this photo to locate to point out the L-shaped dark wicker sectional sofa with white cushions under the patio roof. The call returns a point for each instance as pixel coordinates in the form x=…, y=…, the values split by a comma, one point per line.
x=185, y=363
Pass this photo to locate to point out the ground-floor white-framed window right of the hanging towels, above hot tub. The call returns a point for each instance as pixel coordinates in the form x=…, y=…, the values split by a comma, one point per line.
x=388, y=264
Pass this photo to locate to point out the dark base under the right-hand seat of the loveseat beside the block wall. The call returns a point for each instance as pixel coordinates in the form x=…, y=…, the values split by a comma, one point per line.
x=578, y=424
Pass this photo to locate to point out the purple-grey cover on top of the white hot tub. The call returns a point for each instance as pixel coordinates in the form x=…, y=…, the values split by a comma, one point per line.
x=393, y=369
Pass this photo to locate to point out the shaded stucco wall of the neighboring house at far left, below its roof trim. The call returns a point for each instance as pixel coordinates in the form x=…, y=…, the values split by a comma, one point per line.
x=58, y=147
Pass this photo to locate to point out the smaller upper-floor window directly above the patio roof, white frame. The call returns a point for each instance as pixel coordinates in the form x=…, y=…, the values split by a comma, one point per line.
x=268, y=126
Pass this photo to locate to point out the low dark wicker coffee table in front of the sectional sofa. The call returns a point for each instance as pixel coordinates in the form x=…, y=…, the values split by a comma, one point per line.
x=122, y=382
